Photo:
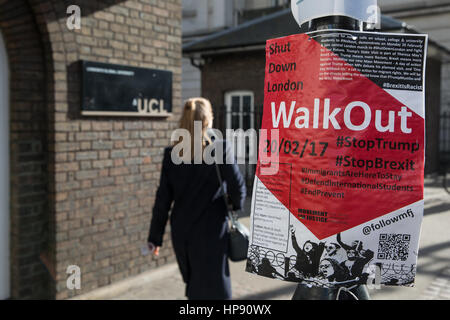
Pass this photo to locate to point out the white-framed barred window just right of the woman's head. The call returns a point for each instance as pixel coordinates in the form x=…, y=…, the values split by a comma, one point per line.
x=240, y=110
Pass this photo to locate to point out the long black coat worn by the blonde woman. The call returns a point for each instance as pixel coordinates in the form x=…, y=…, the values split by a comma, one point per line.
x=198, y=222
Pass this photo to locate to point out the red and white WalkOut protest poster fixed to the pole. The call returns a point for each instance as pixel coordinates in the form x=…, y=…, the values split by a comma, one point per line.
x=338, y=192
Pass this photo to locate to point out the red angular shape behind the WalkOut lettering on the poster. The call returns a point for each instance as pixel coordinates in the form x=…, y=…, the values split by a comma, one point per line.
x=334, y=197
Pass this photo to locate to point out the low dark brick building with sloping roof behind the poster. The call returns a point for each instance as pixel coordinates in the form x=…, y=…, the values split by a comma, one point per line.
x=233, y=64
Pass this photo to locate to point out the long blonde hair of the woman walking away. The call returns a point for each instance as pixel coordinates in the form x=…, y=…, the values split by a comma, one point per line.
x=197, y=109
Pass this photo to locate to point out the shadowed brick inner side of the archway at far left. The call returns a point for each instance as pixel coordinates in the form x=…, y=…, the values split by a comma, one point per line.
x=28, y=144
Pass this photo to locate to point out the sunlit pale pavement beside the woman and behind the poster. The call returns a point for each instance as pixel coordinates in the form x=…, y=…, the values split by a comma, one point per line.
x=432, y=281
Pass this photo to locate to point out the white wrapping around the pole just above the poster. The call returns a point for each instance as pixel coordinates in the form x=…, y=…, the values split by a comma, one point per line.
x=363, y=10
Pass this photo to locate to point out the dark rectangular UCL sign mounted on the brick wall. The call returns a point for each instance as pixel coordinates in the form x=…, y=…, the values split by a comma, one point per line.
x=115, y=90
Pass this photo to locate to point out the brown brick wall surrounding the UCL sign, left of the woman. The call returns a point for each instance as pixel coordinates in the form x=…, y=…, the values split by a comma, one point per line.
x=80, y=189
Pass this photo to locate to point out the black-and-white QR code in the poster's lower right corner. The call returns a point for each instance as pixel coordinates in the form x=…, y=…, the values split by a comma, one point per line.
x=393, y=246
